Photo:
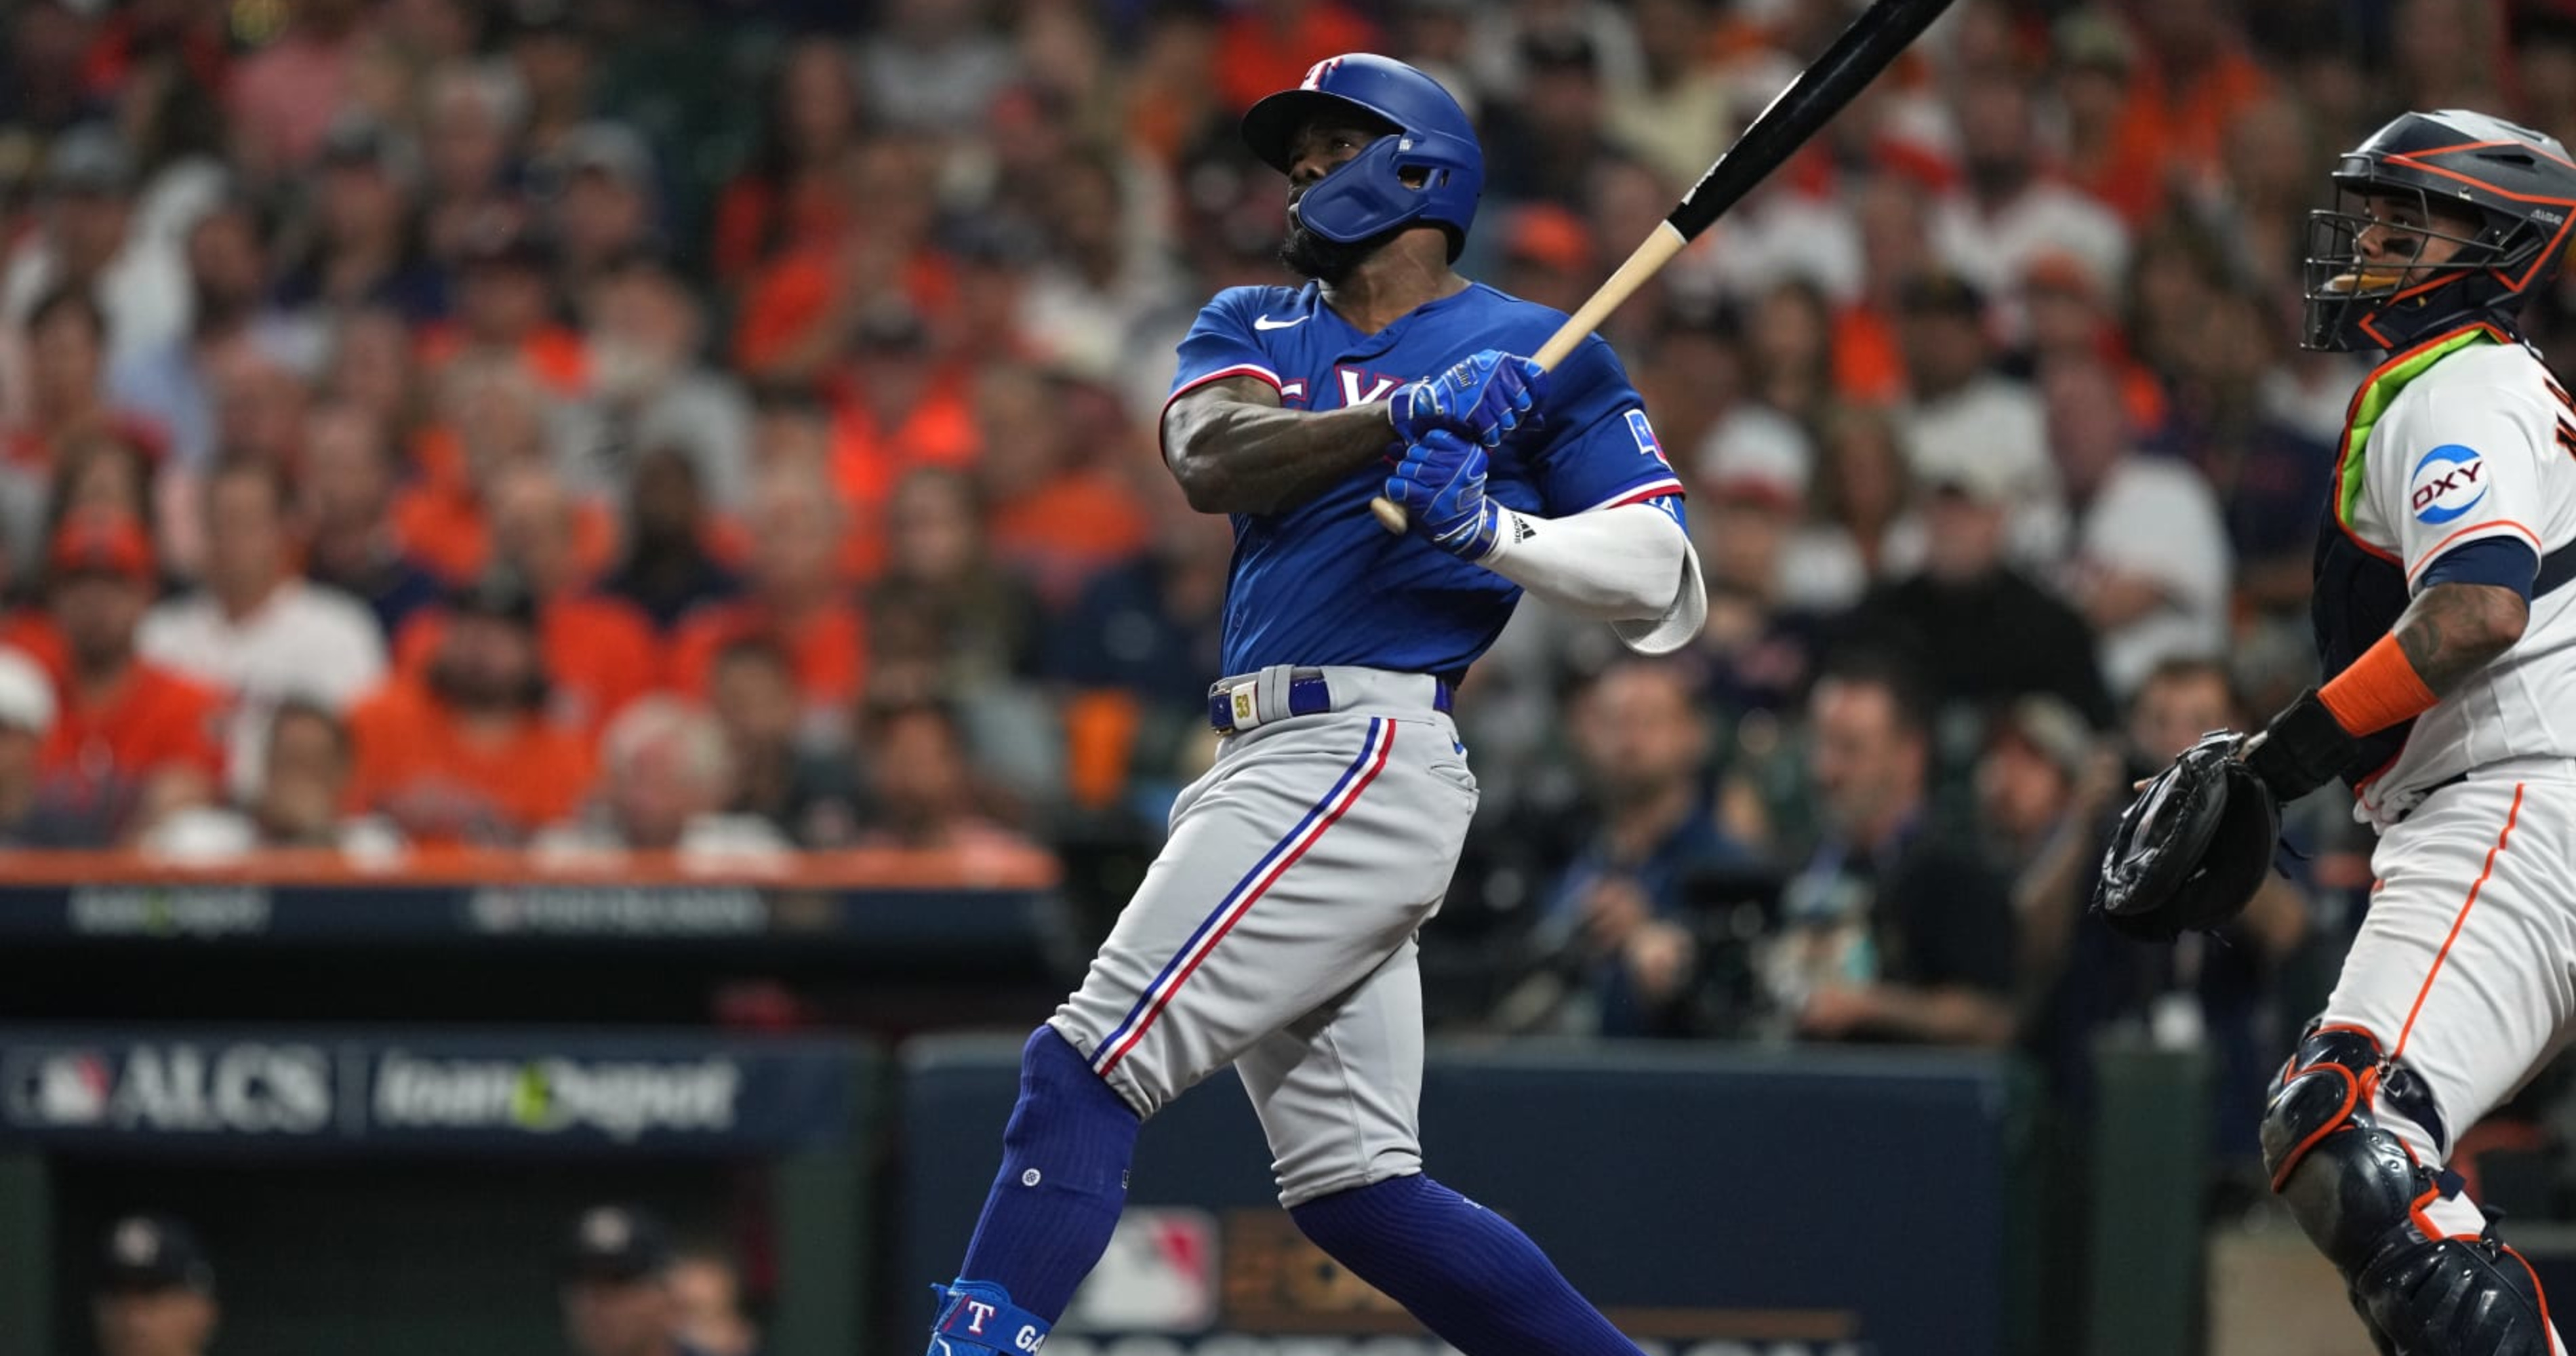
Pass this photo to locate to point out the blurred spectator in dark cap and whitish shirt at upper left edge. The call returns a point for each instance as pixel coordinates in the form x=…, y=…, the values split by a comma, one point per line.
x=94, y=244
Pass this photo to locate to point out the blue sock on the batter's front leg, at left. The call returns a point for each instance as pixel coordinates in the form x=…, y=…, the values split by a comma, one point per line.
x=1060, y=1190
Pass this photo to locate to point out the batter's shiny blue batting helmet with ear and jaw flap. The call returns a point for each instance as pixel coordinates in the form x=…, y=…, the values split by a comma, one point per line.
x=1423, y=169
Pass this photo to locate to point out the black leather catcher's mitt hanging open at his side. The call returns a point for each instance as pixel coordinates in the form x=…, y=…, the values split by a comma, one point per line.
x=2193, y=847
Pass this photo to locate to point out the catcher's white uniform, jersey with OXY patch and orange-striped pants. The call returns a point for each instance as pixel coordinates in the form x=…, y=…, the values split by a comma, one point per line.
x=2467, y=963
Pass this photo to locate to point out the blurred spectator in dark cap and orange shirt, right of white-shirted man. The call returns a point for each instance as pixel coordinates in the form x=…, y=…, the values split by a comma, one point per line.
x=468, y=754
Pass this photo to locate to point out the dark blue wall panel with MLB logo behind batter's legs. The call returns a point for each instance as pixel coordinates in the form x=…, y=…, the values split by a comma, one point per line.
x=1712, y=1203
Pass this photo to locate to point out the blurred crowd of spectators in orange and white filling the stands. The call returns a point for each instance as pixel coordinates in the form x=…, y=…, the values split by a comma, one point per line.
x=730, y=427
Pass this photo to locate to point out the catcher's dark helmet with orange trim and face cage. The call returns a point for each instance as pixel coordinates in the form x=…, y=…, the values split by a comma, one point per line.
x=2518, y=184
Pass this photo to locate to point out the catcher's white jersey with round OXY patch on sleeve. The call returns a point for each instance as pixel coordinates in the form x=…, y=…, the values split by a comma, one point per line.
x=2482, y=445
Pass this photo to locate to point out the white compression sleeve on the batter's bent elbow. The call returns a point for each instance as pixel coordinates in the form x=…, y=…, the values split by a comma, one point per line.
x=1629, y=566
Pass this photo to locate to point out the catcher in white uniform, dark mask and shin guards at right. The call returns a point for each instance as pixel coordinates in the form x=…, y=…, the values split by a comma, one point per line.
x=2448, y=641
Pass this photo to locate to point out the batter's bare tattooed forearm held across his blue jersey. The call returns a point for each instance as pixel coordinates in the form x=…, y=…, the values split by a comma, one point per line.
x=1235, y=450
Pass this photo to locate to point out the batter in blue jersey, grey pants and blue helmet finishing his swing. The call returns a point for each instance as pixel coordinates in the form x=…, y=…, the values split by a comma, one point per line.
x=1276, y=929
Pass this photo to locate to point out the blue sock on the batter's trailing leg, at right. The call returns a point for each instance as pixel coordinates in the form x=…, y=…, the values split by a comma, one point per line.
x=1462, y=1270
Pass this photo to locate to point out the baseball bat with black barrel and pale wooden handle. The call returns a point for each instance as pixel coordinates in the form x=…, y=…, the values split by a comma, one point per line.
x=1794, y=115
